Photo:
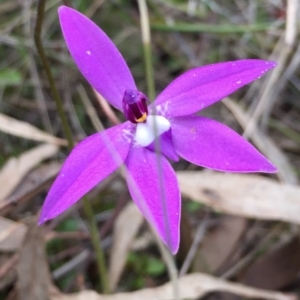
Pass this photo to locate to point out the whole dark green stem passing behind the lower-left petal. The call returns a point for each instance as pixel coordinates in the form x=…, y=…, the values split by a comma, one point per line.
x=87, y=206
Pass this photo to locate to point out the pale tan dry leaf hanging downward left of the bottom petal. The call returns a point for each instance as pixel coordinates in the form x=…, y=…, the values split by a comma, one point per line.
x=125, y=230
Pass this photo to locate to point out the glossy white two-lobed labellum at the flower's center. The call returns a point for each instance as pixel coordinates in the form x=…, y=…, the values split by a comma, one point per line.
x=153, y=127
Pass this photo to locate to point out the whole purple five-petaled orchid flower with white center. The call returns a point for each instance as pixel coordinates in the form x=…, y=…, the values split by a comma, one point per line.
x=171, y=119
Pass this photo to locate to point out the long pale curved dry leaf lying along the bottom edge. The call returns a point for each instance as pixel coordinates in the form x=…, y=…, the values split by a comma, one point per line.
x=192, y=286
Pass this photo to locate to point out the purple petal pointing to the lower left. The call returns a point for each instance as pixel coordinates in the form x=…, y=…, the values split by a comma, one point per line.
x=91, y=161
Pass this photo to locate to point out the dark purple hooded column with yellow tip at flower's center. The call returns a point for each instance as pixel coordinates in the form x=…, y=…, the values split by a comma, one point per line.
x=135, y=106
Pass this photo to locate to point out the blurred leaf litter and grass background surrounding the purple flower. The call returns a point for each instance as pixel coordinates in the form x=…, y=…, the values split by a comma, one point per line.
x=235, y=228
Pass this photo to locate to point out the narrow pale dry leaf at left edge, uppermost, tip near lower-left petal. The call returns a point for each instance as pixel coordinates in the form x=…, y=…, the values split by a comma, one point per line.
x=27, y=131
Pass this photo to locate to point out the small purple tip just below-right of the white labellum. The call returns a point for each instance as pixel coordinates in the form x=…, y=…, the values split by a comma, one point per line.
x=165, y=146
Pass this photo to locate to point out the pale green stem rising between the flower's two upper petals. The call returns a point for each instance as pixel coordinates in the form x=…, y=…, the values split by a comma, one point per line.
x=147, y=48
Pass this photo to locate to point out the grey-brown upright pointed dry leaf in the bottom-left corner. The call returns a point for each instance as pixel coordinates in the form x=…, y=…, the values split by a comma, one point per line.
x=33, y=272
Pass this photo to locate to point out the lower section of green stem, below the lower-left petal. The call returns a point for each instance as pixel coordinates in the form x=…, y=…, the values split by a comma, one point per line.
x=97, y=246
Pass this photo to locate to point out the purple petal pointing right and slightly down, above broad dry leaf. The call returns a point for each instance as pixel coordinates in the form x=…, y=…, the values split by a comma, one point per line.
x=213, y=145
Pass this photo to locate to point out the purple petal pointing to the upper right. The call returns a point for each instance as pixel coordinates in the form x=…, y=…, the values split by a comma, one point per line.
x=201, y=87
